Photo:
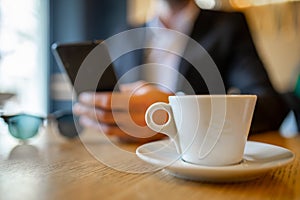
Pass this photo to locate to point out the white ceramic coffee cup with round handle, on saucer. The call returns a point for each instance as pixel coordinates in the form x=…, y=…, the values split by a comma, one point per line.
x=207, y=130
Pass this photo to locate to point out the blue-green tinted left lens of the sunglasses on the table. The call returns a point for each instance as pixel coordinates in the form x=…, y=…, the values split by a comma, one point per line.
x=23, y=126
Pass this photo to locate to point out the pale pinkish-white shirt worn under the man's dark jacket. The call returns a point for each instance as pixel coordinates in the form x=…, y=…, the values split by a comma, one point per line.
x=163, y=67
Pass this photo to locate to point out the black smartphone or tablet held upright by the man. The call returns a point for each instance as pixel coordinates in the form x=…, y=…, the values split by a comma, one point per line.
x=70, y=57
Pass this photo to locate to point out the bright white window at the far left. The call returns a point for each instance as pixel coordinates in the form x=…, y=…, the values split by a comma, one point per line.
x=24, y=60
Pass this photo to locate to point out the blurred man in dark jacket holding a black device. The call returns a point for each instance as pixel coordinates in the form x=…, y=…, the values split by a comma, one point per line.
x=225, y=36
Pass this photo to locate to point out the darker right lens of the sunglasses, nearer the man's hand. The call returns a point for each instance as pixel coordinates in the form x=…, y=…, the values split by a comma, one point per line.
x=67, y=126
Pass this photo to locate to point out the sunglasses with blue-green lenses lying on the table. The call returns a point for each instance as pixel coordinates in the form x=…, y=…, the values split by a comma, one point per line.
x=25, y=126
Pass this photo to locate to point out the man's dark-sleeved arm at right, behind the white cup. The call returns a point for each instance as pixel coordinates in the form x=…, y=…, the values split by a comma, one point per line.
x=247, y=73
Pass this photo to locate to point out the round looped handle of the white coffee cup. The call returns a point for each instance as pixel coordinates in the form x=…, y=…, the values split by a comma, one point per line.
x=169, y=128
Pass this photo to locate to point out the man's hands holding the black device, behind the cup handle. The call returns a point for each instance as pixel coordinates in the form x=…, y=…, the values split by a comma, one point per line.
x=121, y=114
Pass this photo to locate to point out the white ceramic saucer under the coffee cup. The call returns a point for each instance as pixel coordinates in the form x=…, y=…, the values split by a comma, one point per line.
x=259, y=158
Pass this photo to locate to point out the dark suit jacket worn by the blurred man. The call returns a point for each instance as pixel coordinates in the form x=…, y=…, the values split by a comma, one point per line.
x=227, y=39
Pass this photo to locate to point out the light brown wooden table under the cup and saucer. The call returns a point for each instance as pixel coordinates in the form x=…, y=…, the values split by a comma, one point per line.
x=51, y=167
